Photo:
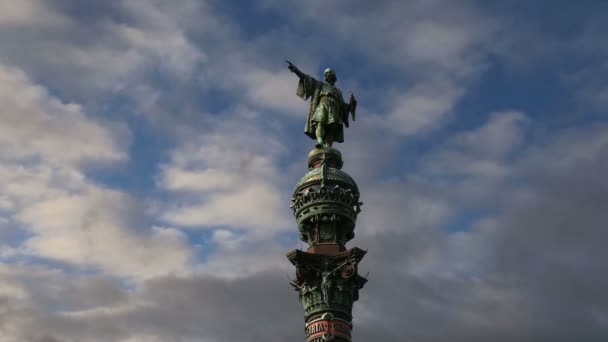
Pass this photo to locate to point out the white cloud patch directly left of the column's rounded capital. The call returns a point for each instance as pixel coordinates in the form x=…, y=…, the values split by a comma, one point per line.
x=228, y=176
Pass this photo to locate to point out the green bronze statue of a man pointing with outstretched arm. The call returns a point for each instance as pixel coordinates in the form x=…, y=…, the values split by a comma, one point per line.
x=328, y=112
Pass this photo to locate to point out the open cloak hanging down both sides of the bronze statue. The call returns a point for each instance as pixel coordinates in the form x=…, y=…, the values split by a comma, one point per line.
x=309, y=87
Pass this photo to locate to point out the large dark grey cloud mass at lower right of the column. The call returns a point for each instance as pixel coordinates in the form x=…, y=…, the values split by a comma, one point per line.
x=534, y=272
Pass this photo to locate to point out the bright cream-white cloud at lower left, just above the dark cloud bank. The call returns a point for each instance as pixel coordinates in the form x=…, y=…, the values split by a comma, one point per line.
x=94, y=229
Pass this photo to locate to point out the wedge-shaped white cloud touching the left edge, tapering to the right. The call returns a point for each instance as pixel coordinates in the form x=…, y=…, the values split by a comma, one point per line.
x=37, y=125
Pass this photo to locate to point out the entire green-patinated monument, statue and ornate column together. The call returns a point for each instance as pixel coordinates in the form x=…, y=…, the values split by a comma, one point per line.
x=325, y=204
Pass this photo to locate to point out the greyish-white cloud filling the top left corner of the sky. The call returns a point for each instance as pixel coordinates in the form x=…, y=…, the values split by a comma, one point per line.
x=111, y=54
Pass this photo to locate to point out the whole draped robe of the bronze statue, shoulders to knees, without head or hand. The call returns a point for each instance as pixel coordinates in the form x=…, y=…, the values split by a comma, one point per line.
x=326, y=106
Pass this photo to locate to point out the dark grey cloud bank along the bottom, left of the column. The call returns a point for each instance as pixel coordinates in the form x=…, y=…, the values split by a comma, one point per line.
x=165, y=309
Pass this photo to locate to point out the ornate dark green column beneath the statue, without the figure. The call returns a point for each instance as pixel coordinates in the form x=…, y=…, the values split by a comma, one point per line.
x=326, y=205
